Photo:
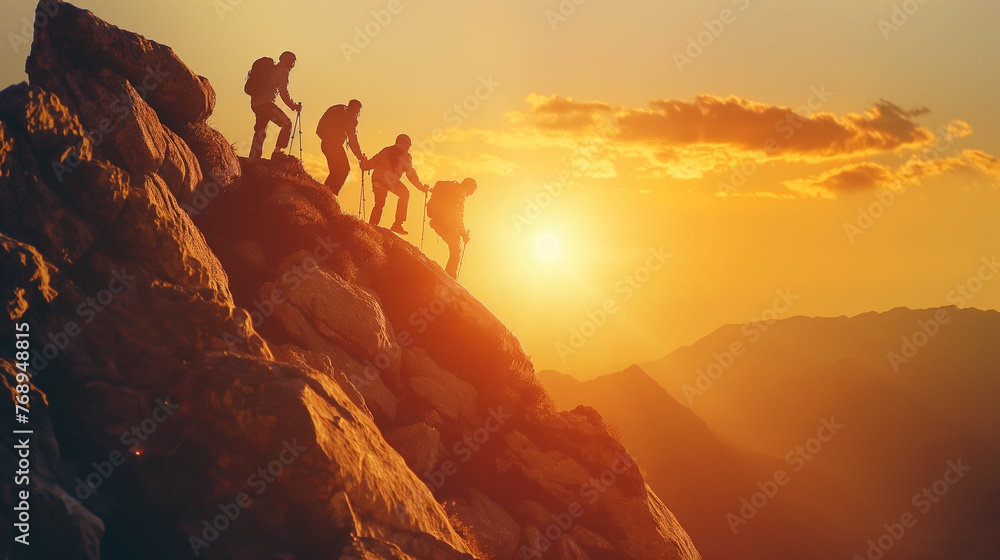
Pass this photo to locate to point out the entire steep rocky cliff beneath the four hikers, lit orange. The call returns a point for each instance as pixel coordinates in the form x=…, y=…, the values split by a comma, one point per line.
x=227, y=366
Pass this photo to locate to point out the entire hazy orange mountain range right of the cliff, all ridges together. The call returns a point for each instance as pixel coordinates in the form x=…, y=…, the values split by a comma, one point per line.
x=857, y=416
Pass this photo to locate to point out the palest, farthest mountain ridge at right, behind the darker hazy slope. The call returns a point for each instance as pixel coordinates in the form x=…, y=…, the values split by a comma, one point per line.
x=955, y=373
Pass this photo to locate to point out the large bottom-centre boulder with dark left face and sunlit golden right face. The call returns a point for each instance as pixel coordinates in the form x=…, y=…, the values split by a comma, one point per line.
x=330, y=449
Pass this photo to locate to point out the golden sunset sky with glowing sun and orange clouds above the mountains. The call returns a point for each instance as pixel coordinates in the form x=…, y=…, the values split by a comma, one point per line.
x=844, y=153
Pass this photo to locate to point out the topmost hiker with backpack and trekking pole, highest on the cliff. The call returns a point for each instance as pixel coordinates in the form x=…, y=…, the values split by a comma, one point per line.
x=265, y=81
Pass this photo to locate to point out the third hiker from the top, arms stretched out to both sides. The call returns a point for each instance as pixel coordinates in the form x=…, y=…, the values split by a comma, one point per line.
x=390, y=164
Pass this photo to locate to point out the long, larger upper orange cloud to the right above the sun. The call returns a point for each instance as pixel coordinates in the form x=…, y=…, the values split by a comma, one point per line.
x=685, y=140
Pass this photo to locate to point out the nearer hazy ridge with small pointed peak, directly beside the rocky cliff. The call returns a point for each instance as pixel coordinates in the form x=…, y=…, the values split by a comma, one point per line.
x=704, y=478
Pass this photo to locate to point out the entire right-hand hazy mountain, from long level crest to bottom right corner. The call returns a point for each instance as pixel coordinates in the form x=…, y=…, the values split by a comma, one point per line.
x=903, y=422
